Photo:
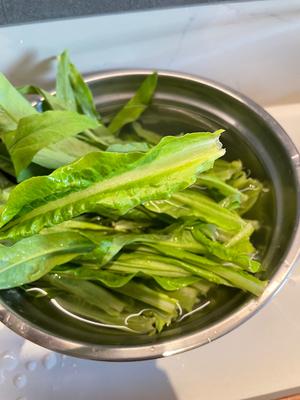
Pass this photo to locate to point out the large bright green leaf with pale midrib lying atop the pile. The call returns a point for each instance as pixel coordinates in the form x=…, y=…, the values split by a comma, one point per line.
x=108, y=183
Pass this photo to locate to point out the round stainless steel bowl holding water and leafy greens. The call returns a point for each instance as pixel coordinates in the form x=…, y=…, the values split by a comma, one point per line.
x=185, y=103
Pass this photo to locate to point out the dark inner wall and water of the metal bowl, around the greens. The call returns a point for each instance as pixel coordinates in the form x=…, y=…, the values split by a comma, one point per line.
x=183, y=105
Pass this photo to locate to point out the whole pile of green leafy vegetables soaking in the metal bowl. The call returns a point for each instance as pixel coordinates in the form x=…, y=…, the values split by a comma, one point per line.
x=130, y=232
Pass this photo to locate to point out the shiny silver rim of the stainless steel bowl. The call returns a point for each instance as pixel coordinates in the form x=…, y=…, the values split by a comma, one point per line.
x=189, y=341
